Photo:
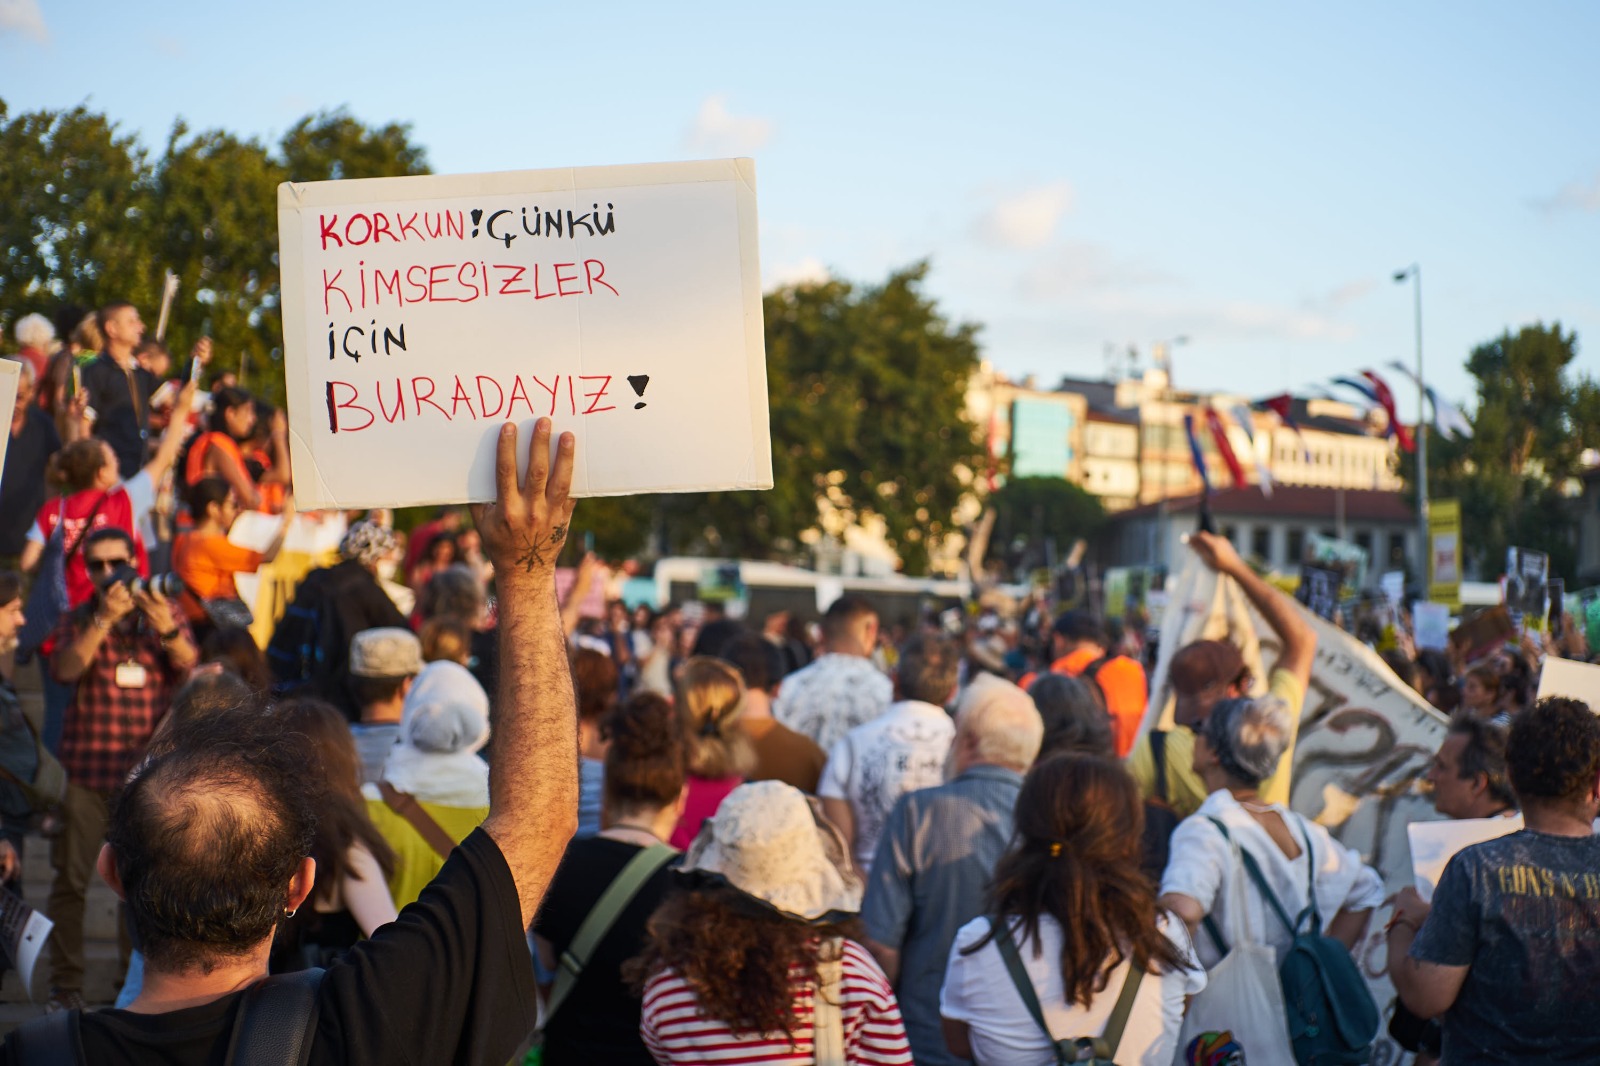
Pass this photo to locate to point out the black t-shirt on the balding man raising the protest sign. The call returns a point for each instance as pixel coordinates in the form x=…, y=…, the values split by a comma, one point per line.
x=450, y=982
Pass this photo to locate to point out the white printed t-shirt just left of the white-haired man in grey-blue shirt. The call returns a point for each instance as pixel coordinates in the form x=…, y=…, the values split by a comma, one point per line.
x=879, y=763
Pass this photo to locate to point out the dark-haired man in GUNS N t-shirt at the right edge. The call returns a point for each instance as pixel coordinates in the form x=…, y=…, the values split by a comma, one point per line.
x=1510, y=953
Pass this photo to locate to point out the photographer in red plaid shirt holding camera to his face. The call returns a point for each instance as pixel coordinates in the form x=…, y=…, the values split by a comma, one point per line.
x=127, y=651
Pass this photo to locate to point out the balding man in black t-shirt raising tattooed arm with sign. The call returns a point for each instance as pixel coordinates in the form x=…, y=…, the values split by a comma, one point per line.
x=210, y=844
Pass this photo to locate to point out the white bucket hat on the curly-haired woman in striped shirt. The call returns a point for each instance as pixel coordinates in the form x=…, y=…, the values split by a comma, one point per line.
x=769, y=843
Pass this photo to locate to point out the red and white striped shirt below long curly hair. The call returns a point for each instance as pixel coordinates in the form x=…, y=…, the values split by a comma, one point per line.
x=676, y=1032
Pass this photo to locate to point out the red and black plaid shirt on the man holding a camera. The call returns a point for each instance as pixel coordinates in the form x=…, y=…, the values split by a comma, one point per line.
x=108, y=727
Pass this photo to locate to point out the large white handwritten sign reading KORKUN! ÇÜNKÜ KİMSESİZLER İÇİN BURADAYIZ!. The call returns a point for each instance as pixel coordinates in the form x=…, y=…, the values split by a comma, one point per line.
x=423, y=313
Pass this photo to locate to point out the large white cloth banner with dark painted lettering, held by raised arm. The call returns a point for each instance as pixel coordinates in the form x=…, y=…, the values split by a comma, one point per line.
x=1366, y=742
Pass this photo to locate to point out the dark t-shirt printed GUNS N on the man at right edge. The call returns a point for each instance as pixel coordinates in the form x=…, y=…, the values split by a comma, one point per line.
x=1524, y=913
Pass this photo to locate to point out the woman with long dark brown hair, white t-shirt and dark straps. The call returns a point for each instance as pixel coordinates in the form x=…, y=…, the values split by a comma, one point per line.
x=1074, y=928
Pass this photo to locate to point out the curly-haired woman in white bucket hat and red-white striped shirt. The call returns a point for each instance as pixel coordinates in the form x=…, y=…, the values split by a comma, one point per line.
x=759, y=958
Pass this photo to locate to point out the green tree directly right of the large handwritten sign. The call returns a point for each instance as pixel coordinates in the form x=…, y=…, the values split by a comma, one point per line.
x=866, y=390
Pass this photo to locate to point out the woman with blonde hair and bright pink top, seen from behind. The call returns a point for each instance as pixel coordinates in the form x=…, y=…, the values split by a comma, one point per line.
x=711, y=699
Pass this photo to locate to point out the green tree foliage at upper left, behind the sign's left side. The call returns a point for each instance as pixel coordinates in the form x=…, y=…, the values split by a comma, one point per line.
x=92, y=217
